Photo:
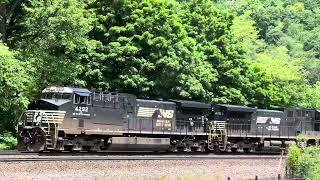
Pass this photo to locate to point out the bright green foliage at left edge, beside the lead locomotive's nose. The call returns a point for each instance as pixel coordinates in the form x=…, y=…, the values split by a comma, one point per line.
x=14, y=84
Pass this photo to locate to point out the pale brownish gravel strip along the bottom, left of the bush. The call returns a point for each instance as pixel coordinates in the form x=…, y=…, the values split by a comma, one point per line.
x=143, y=169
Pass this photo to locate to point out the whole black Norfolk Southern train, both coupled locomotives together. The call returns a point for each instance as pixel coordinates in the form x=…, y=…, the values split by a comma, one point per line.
x=77, y=119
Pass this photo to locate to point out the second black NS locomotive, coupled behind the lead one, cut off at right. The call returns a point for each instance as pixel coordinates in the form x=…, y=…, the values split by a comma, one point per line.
x=252, y=129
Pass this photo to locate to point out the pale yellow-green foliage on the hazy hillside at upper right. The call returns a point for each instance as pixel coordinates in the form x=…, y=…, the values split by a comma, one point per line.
x=277, y=42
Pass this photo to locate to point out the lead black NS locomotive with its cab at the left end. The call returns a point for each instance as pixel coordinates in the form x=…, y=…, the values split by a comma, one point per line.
x=77, y=119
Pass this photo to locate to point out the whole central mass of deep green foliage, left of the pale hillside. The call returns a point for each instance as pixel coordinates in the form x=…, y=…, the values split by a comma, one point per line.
x=186, y=47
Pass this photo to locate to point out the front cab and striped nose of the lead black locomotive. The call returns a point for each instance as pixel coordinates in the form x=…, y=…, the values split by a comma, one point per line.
x=46, y=117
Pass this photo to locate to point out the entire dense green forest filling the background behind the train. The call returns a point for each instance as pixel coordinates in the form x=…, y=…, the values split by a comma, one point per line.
x=263, y=53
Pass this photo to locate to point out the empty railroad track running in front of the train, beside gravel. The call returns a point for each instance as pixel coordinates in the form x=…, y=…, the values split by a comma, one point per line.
x=24, y=158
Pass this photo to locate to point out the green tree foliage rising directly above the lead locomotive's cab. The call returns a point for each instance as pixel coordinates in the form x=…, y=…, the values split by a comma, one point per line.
x=55, y=40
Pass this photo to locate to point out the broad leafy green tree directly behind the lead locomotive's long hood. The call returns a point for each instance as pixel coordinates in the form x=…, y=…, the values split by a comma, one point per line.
x=145, y=49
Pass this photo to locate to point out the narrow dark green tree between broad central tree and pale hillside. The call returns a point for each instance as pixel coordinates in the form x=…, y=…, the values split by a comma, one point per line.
x=211, y=28
